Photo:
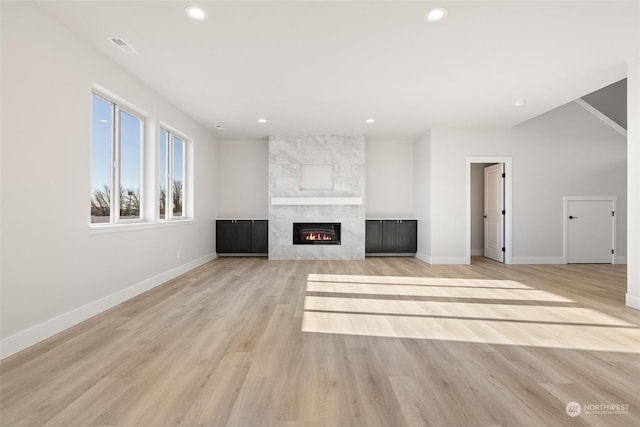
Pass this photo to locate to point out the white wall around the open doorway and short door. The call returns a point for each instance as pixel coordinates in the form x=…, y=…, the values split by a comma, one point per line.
x=564, y=152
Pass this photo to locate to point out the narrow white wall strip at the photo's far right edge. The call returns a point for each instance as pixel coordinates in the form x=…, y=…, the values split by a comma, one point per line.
x=633, y=179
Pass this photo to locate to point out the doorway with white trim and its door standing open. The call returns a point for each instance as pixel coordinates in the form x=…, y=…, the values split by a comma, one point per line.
x=489, y=205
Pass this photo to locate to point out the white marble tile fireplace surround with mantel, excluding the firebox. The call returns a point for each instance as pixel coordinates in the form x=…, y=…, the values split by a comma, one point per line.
x=317, y=179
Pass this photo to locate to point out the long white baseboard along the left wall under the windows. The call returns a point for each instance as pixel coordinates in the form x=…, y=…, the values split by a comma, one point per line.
x=33, y=335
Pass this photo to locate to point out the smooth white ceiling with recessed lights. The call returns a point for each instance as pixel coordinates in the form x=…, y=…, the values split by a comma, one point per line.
x=316, y=67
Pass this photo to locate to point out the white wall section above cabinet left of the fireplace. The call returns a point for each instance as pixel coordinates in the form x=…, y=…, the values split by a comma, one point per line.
x=244, y=179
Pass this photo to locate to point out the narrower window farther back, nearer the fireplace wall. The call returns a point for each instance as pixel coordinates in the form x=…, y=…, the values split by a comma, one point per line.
x=172, y=176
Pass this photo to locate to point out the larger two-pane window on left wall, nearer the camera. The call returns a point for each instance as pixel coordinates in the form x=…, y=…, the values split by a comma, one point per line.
x=116, y=162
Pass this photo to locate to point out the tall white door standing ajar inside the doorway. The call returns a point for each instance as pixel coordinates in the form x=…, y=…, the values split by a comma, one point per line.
x=494, y=212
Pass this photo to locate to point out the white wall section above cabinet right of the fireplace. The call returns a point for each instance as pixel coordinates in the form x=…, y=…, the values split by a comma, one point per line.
x=390, y=179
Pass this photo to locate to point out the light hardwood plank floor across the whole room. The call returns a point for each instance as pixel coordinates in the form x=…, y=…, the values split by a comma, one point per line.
x=379, y=342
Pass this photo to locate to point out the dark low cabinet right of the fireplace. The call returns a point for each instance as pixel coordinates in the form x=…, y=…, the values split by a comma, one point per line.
x=391, y=236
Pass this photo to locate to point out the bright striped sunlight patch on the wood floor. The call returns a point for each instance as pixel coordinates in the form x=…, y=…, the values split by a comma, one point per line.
x=327, y=309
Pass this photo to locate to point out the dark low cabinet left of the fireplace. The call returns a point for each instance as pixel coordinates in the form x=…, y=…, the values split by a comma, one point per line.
x=238, y=236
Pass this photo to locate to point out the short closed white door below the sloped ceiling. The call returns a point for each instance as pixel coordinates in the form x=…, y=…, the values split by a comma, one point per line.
x=590, y=226
